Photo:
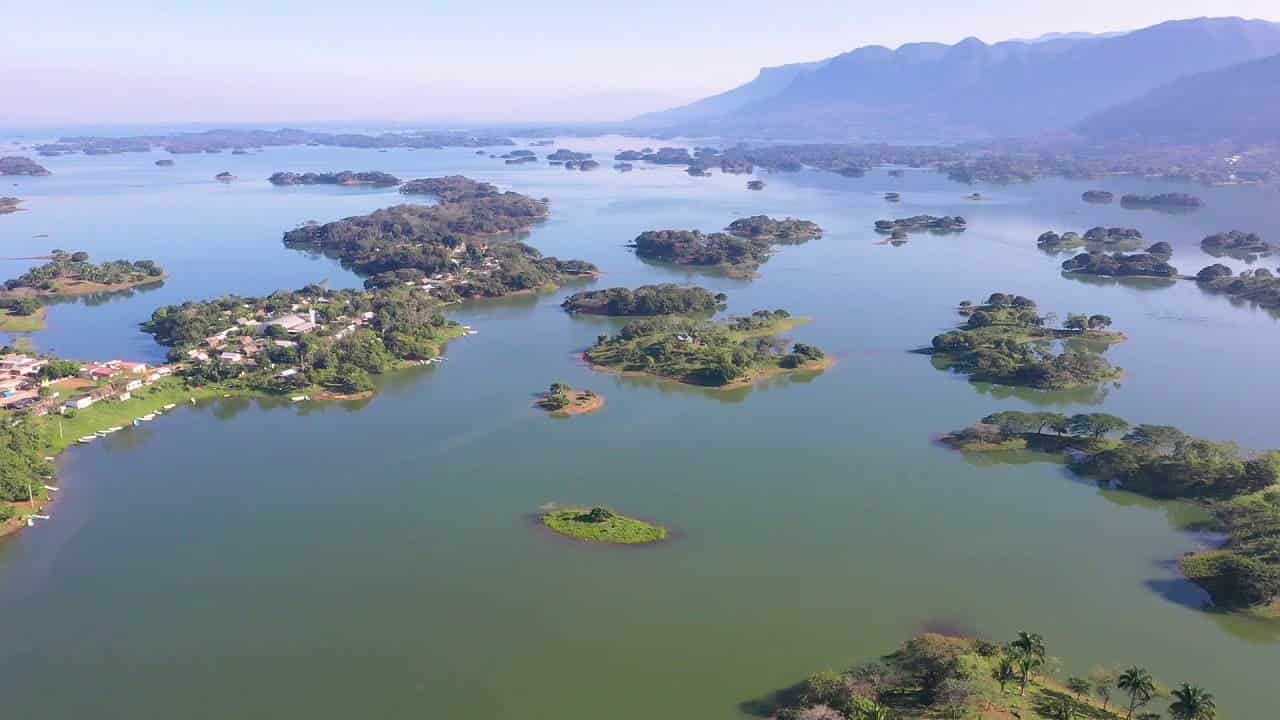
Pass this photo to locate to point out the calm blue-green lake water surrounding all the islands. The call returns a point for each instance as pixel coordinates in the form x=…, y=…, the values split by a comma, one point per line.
x=380, y=560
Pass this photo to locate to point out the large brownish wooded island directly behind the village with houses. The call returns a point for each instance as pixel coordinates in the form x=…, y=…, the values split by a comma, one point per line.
x=461, y=248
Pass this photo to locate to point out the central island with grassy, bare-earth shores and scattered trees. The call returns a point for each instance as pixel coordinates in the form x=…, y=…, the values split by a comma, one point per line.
x=702, y=353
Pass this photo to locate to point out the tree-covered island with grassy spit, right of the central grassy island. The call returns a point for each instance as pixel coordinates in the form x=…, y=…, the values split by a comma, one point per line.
x=1005, y=341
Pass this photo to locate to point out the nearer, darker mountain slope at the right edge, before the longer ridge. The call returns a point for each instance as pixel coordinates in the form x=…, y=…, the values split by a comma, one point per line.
x=1237, y=104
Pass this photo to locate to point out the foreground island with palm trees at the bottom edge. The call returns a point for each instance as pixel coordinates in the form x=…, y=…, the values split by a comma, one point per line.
x=938, y=676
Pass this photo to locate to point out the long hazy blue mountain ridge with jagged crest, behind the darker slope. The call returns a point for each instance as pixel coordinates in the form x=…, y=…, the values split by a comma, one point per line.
x=970, y=90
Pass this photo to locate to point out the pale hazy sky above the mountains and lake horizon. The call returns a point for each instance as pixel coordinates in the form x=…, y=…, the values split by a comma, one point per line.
x=276, y=61
